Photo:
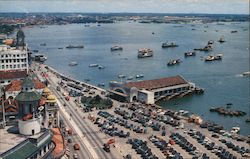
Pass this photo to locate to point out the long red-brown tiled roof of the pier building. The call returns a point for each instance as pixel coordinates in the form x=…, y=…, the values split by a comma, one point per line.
x=157, y=83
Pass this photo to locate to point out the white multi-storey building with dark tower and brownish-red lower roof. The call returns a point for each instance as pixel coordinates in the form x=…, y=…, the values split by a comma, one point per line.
x=14, y=60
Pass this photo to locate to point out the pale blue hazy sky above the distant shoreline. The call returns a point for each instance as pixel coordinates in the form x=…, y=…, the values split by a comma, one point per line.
x=135, y=6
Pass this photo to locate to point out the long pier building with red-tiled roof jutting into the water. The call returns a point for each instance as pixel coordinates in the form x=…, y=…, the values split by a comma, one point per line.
x=149, y=91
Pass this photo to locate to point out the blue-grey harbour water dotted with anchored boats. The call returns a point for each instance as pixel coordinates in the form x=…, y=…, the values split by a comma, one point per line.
x=222, y=80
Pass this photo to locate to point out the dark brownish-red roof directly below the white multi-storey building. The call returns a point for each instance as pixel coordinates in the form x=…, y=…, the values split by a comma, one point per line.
x=12, y=74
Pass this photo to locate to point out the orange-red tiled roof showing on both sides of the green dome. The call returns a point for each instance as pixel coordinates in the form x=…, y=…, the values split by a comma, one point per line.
x=16, y=85
